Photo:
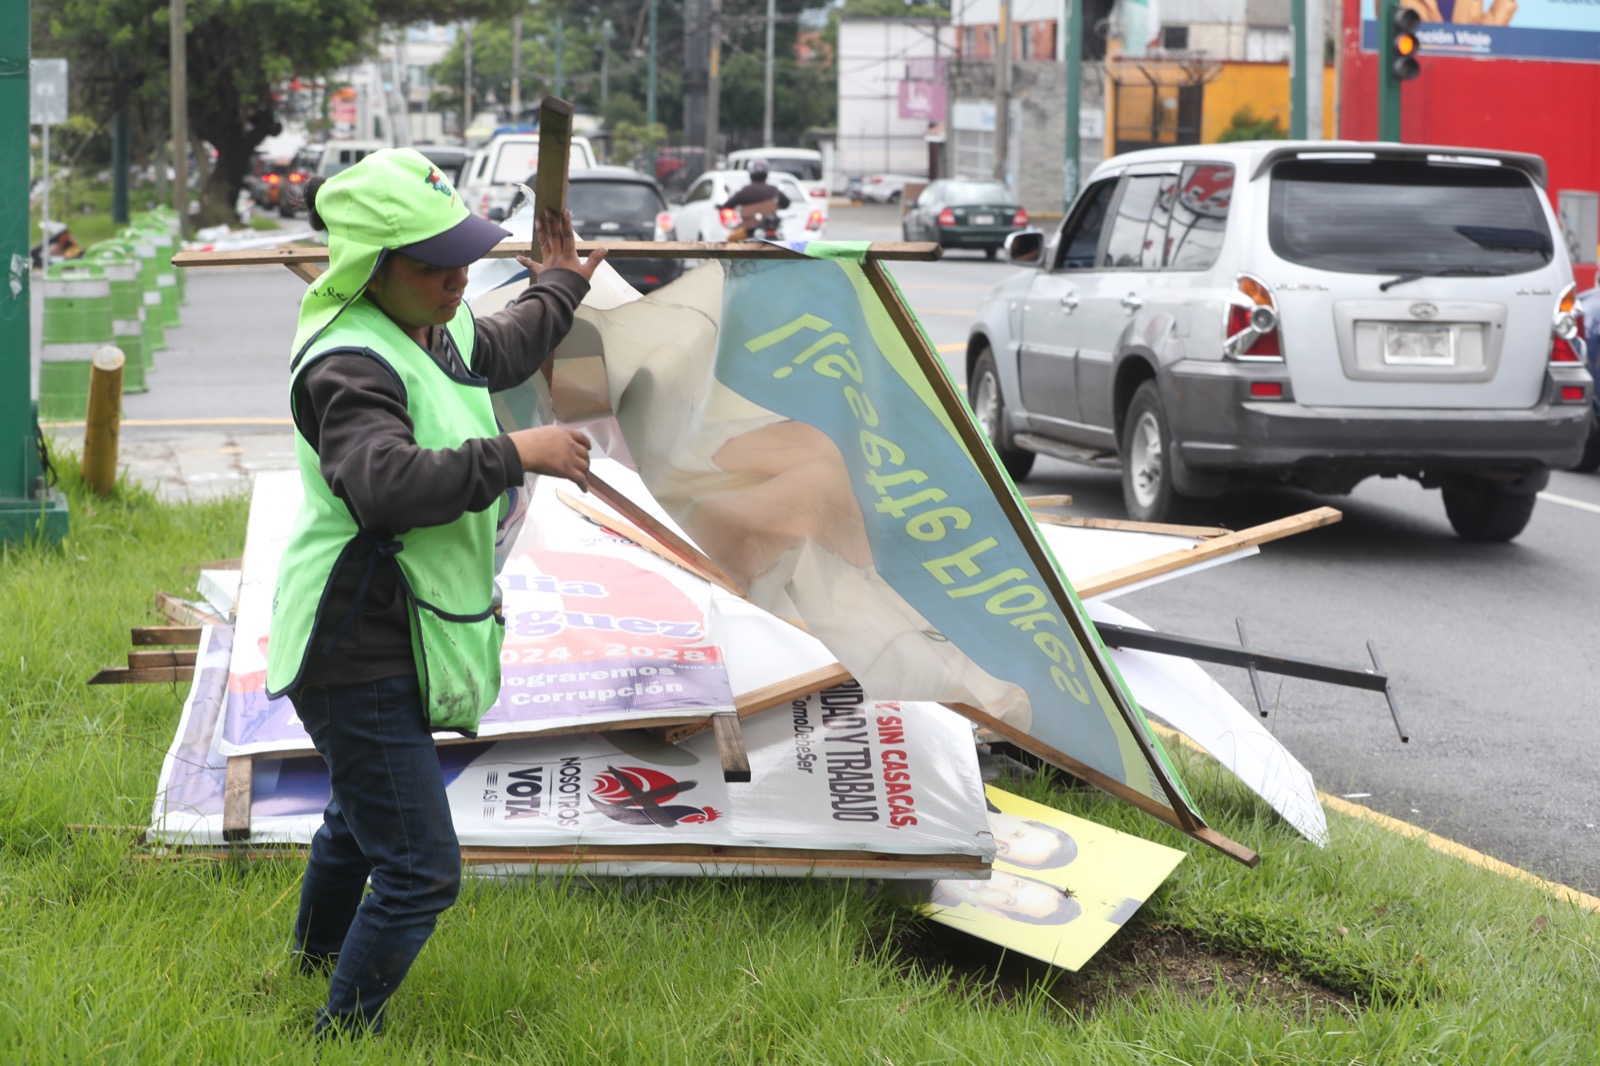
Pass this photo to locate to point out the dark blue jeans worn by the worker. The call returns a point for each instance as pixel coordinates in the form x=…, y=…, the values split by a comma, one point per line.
x=388, y=819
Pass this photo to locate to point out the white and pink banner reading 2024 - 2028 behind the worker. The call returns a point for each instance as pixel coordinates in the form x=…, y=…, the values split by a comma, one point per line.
x=598, y=630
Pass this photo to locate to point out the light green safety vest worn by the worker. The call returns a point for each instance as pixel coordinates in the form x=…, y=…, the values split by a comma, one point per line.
x=447, y=571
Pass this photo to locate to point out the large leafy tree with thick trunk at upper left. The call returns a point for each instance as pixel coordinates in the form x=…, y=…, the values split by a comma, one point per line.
x=238, y=52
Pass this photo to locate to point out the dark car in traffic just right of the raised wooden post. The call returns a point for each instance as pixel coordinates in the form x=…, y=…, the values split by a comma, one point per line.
x=620, y=204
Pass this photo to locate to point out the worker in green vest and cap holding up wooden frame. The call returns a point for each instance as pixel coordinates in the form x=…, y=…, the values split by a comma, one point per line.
x=385, y=622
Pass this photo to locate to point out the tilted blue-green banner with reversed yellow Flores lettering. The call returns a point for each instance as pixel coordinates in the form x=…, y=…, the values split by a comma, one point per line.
x=783, y=422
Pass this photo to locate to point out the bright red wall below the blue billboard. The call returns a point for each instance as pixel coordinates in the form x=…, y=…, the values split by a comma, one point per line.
x=1551, y=110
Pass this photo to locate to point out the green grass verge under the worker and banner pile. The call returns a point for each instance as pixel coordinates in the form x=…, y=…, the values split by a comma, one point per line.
x=1372, y=952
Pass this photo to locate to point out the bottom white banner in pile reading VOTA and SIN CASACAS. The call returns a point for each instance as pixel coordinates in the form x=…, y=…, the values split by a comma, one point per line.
x=831, y=774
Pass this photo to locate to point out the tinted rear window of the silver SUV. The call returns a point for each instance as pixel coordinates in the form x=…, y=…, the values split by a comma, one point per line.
x=1407, y=217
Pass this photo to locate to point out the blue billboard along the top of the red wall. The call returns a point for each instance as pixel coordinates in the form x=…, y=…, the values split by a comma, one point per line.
x=1506, y=30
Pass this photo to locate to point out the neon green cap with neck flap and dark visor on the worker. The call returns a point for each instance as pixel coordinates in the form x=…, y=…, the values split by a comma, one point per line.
x=391, y=201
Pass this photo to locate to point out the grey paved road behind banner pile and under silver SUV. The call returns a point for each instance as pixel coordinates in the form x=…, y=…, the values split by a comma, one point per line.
x=1490, y=646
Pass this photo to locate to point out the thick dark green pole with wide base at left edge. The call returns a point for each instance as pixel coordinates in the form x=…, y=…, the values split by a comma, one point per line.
x=26, y=505
